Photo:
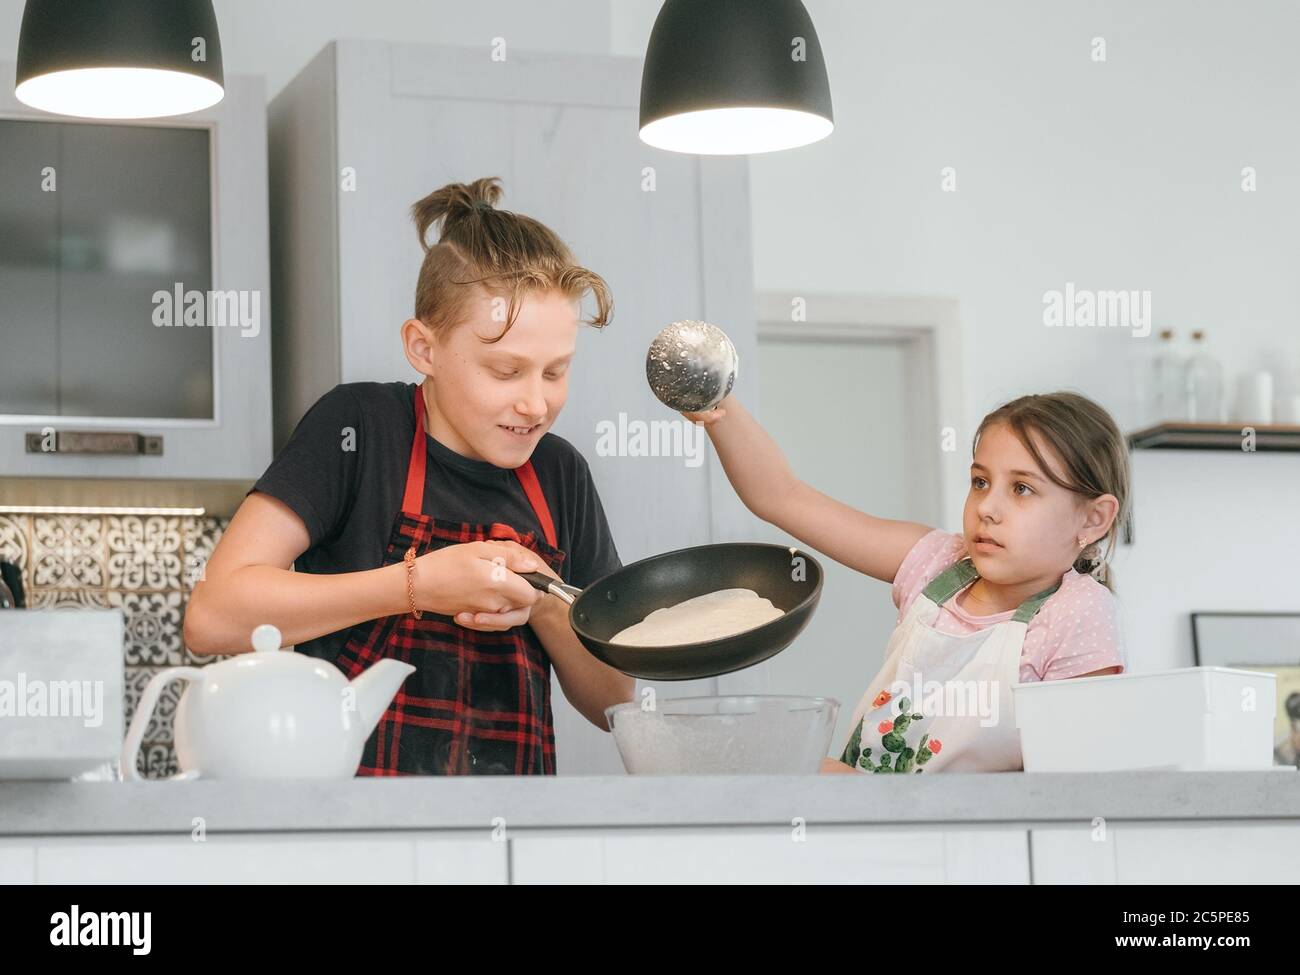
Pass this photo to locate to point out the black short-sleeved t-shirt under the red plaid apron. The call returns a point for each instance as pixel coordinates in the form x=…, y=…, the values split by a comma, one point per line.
x=349, y=499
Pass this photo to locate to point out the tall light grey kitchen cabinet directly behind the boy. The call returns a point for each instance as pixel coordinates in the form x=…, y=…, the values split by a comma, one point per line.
x=369, y=128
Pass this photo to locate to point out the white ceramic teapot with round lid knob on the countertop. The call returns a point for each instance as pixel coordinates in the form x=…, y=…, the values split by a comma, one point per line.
x=270, y=714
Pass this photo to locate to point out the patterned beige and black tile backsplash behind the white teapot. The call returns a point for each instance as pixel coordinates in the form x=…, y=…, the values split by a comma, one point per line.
x=145, y=566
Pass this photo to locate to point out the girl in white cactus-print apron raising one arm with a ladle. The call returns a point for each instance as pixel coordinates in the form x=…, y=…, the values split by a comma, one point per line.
x=1022, y=595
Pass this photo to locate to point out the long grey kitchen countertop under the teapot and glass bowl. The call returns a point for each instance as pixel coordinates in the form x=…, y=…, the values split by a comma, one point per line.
x=70, y=809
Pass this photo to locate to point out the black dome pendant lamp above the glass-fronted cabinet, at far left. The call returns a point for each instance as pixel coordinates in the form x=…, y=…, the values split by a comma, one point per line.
x=119, y=59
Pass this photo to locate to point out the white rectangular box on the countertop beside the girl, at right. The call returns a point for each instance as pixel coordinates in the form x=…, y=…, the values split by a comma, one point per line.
x=1190, y=720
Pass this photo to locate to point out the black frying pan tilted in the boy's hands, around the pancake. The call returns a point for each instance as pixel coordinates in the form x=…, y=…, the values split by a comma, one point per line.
x=790, y=578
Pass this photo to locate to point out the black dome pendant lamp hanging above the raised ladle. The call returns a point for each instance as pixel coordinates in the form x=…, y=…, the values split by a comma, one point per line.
x=722, y=77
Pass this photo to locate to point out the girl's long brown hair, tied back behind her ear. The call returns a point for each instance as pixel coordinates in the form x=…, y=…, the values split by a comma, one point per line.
x=1091, y=449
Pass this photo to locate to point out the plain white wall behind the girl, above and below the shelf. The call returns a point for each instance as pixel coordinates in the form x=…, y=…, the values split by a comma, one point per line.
x=1123, y=175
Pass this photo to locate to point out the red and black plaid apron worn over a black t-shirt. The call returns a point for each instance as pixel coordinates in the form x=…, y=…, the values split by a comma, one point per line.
x=478, y=703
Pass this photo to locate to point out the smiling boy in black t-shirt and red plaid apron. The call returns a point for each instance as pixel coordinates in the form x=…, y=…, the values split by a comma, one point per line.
x=408, y=510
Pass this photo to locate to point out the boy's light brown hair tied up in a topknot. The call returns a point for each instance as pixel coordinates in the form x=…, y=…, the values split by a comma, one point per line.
x=500, y=252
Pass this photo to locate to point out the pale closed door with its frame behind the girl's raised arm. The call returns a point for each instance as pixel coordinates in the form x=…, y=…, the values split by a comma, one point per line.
x=856, y=395
